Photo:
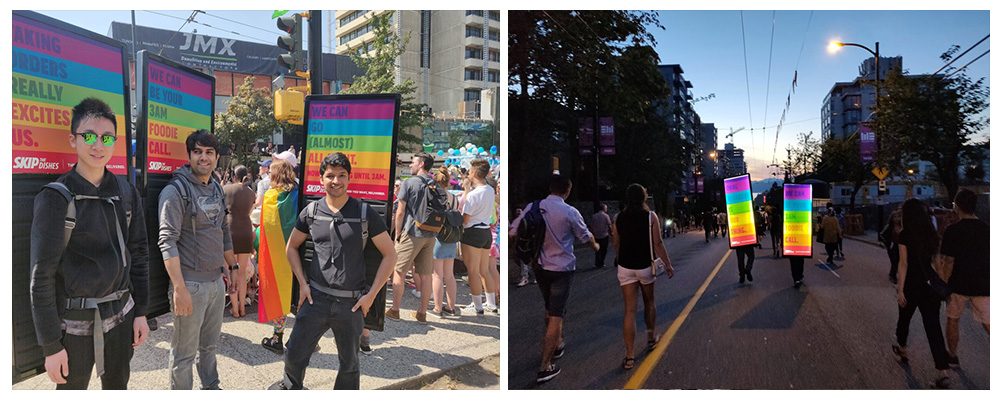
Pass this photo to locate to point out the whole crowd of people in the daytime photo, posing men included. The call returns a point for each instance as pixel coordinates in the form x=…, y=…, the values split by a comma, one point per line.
x=227, y=242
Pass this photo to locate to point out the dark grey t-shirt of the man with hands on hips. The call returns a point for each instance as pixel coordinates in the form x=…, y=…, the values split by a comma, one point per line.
x=338, y=261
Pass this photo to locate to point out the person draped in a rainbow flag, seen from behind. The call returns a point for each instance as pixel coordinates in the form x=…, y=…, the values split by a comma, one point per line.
x=277, y=220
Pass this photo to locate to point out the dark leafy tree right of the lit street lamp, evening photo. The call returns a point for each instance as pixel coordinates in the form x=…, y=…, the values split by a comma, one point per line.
x=931, y=118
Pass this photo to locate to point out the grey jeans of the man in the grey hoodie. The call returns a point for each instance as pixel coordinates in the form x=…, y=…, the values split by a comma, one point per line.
x=197, y=334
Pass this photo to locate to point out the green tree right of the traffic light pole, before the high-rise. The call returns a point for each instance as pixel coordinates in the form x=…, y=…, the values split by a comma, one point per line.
x=379, y=63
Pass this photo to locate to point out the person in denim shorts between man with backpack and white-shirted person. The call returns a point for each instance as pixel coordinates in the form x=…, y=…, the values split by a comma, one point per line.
x=444, y=259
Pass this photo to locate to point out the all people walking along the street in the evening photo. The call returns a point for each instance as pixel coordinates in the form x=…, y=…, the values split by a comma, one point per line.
x=926, y=268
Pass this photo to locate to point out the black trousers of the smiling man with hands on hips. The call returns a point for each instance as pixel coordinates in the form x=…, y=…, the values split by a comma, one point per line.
x=311, y=322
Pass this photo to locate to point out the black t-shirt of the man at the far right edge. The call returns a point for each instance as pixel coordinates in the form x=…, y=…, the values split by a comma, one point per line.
x=968, y=241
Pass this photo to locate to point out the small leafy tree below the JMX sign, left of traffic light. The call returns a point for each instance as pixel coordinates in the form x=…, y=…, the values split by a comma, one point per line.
x=248, y=118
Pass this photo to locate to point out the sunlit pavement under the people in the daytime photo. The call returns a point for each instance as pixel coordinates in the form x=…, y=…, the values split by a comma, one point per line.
x=403, y=354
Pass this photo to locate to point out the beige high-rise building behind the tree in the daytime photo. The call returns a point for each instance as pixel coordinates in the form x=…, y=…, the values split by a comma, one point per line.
x=452, y=56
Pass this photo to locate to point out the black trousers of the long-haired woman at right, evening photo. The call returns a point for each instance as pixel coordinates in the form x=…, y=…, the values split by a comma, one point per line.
x=930, y=314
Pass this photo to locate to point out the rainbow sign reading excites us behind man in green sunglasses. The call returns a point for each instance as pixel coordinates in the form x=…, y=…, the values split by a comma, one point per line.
x=53, y=70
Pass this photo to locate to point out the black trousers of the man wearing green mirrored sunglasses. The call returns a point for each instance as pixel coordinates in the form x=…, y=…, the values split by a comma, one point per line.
x=117, y=356
